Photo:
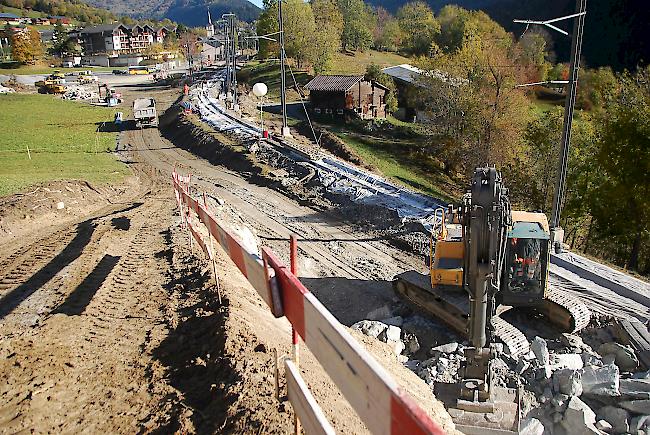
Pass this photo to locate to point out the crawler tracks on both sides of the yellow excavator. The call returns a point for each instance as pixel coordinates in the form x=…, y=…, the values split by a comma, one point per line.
x=452, y=307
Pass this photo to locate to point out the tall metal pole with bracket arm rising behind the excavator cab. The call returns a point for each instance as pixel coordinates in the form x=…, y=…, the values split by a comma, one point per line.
x=557, y=233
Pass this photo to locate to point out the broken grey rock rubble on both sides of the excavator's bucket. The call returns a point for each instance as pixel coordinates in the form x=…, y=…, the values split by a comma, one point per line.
x=575, y=390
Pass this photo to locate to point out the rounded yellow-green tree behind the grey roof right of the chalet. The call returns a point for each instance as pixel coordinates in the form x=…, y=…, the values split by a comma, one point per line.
x=419, y=28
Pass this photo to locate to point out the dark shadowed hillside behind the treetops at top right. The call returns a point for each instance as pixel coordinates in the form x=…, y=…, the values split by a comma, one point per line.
x=614, y=29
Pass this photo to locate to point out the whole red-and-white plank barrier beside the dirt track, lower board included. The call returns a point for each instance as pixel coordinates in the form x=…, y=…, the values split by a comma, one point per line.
x=380, y=403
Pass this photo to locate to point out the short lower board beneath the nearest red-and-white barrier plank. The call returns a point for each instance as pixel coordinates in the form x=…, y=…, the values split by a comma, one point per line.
x=304, y=405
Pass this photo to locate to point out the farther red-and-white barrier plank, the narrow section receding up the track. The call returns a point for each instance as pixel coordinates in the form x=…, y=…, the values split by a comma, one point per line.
x=262, y=278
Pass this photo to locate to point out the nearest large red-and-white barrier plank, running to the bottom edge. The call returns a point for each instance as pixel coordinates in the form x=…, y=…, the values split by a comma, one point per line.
x=382, y=405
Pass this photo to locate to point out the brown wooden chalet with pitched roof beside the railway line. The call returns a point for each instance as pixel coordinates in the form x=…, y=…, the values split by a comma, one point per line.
x=341, y=94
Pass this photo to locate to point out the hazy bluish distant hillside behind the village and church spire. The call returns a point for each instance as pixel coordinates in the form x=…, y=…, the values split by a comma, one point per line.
x=188, y=12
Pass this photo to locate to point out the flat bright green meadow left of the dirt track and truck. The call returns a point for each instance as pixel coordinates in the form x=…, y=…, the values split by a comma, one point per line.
x=62, y=139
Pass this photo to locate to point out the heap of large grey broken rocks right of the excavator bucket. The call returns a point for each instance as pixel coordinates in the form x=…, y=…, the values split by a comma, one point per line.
x=570, y=386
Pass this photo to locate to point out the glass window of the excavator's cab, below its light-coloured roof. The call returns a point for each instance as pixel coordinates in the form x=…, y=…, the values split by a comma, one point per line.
x=525, y=259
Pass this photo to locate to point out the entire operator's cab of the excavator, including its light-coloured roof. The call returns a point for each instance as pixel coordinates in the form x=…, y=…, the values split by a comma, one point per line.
x=525, y=274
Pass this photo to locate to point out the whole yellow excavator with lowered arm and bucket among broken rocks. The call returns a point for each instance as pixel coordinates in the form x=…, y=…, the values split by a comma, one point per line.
x=487, y=260
